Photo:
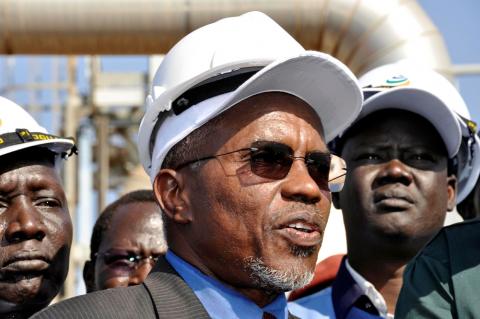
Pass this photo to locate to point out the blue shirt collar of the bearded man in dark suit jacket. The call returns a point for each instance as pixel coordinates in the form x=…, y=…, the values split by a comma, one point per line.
x=221, y=301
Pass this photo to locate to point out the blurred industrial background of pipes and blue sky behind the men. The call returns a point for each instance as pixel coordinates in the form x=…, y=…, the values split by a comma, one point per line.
x=83, y=67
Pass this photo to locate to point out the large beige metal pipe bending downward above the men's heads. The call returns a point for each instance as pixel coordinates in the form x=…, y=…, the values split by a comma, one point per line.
x=362, y=33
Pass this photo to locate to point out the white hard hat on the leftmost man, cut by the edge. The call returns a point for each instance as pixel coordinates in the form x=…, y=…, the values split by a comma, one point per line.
x=18, y=131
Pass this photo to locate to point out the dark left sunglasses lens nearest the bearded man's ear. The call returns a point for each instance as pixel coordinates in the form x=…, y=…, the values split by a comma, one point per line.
x=271, y=161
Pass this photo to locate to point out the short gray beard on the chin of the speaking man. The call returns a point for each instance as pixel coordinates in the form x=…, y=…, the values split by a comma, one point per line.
x=276, y=280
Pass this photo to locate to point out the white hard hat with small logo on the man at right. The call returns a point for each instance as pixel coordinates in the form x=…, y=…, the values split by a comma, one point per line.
x=411, y=87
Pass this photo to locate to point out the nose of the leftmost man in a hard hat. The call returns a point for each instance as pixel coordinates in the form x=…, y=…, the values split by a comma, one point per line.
x=25, y=223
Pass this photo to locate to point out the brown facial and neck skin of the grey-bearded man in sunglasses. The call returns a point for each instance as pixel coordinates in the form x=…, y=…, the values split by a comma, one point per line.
x=221, y=213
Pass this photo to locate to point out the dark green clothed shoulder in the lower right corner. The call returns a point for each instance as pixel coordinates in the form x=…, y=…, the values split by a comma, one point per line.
x=442, y=274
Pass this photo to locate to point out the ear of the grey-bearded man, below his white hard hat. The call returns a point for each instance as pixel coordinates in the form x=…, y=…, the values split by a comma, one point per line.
x=169, y=189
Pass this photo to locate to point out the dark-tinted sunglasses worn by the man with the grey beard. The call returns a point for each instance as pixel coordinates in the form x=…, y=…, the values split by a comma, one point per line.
x=272, y=160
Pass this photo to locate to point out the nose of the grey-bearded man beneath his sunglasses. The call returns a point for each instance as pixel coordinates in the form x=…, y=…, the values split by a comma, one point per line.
x=300, y=186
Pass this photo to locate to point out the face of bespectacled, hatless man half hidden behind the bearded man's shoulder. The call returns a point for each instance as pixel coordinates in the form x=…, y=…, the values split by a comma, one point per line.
x=134, y=229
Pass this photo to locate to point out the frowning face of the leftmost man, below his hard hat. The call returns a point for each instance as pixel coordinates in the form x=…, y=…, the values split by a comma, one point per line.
x=36, y=233
